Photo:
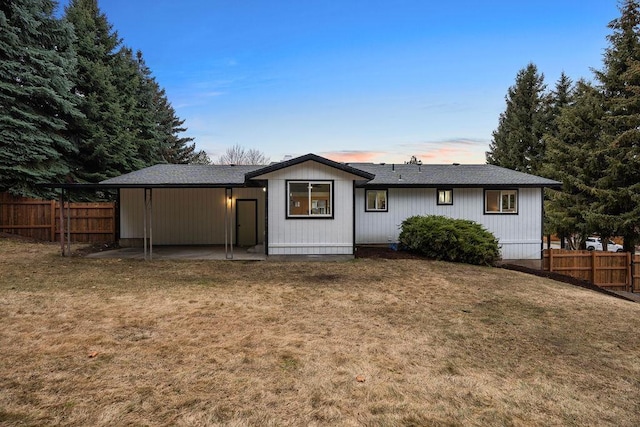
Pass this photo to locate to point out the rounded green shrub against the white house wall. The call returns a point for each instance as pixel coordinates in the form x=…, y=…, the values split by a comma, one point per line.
x=447, y=239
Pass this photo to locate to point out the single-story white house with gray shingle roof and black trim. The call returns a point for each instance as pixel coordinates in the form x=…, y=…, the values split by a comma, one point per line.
x=311, y=205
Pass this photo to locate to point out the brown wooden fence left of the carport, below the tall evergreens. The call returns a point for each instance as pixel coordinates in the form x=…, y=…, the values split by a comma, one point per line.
x=39, y=219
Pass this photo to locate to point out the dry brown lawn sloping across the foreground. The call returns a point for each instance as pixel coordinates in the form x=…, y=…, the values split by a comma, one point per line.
x=366, y=342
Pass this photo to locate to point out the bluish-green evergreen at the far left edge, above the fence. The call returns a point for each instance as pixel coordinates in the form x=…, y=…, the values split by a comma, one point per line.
x=36, y=60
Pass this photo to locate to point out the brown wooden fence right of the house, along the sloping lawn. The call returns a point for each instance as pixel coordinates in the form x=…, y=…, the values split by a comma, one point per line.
x=616, y=271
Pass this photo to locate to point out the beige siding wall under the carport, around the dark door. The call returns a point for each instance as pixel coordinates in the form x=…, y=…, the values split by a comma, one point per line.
x=183, y=216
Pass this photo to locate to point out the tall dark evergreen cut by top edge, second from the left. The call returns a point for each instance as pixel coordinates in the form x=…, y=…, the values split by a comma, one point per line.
x=106, y=147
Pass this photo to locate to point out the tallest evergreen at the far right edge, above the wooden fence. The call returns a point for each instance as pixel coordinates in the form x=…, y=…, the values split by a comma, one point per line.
x=620, y=84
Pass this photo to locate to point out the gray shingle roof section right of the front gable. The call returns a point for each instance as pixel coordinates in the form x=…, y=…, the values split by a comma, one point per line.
x=449, y=175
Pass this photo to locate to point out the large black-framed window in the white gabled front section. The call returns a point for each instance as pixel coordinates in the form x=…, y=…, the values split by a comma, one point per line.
x=310, y=199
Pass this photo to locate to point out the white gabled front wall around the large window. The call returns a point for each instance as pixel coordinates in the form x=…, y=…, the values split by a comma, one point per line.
x=310, y=236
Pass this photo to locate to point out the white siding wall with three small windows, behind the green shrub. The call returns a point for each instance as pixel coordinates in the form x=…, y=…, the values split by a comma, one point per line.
x=520, y=235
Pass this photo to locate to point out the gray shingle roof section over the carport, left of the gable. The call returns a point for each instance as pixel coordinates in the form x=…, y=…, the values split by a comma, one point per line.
x=184, y=175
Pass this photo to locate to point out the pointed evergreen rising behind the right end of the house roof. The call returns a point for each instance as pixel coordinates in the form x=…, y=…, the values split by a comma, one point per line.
x=518, y=141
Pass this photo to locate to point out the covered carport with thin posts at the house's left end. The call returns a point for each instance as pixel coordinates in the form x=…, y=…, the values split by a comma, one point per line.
x=184, y=206
